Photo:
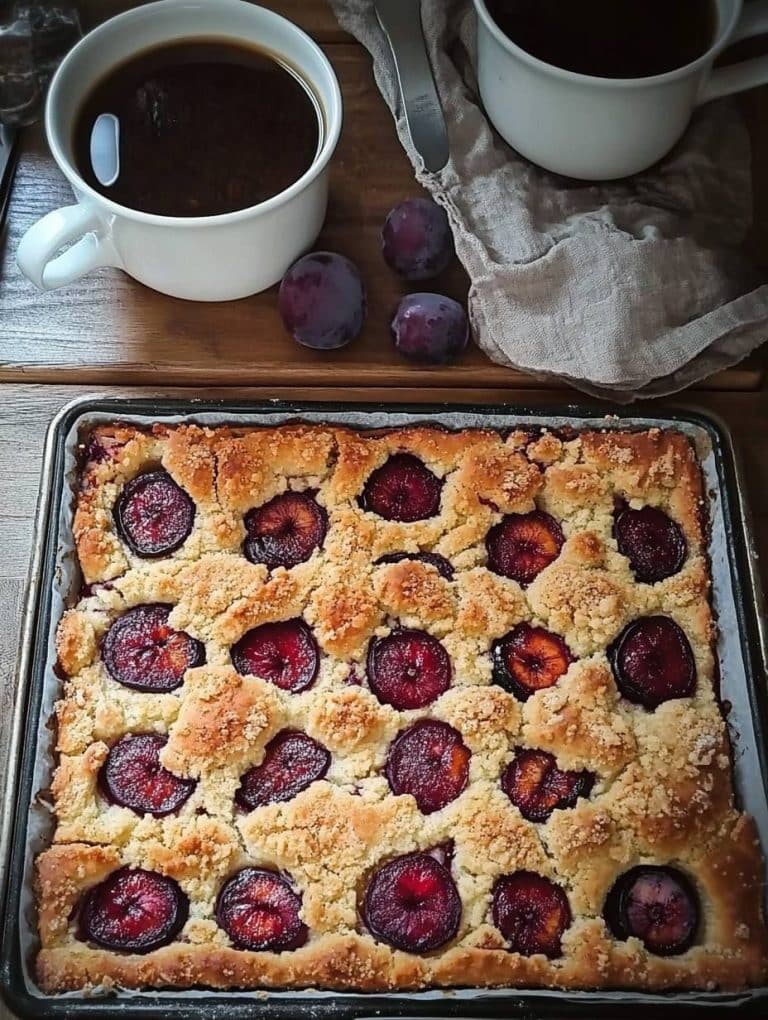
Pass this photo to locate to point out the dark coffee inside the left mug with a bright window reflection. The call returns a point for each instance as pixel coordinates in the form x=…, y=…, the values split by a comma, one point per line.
x=206, y=128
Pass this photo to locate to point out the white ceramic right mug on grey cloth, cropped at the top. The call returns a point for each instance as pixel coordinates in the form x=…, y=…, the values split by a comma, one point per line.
x=598, y=129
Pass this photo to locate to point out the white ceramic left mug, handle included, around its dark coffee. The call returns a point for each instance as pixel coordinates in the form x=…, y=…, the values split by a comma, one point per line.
x=203, y=259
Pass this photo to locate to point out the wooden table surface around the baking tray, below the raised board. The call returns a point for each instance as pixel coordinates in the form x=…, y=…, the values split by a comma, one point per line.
x=26, y=412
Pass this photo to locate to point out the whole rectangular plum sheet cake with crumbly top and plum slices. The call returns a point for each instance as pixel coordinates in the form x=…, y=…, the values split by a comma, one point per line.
x=394, y=709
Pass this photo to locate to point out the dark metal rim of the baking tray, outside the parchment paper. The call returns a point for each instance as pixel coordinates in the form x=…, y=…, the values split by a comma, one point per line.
x=490, y=1003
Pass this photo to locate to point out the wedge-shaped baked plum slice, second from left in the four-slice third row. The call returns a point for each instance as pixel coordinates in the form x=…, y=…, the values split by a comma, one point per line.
x=292, y=762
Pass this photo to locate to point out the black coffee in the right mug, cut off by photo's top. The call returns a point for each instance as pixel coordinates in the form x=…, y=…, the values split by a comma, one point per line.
x=610, y=38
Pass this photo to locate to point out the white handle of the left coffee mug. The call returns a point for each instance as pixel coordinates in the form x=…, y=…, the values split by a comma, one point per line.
x=37, y=258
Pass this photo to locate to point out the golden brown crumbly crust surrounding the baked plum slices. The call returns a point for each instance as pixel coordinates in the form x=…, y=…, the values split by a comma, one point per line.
x=662, y=793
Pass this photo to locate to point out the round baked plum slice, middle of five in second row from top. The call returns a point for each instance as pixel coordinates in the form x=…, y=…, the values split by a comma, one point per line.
x=408, y=670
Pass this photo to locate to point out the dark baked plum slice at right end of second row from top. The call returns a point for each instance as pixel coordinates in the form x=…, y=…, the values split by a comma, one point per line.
x=653, y=662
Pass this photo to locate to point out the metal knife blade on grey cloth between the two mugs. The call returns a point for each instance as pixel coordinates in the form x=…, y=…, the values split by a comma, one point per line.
x=401, y=22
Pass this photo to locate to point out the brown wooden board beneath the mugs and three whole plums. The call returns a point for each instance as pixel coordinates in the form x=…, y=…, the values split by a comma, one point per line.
x=109, y=330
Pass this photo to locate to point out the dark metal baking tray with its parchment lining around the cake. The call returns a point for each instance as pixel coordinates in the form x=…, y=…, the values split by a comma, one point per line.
x=743, y=649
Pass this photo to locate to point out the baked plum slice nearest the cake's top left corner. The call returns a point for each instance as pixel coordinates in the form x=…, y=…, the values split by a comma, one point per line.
x=155, y=516
